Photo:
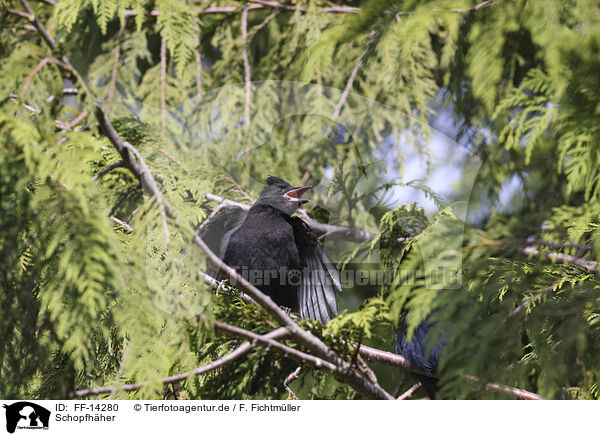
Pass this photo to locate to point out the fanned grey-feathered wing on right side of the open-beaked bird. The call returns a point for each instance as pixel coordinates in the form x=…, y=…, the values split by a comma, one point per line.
x=320, y=278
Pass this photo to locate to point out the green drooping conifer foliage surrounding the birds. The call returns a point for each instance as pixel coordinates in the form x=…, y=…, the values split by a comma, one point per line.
x=125, y=125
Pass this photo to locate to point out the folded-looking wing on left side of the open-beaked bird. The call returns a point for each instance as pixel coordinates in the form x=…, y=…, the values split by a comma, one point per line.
x=217, y=231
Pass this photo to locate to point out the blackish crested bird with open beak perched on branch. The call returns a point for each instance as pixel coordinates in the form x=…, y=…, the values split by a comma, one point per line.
x=277, y=252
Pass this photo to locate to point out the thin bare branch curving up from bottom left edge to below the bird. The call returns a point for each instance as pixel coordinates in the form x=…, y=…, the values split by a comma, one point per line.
x=234, y=355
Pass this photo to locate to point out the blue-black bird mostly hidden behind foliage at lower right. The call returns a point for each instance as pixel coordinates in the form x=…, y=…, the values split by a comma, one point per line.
x=421, y=355
